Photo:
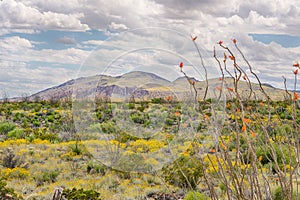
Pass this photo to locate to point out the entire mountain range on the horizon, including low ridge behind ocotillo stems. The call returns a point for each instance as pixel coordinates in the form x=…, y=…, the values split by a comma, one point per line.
x=144, y=85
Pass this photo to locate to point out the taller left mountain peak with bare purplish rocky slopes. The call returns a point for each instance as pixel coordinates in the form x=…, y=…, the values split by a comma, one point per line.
x=102, y=85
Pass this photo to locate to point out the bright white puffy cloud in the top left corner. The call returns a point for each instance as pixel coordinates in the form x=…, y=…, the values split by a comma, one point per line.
x=16, y=15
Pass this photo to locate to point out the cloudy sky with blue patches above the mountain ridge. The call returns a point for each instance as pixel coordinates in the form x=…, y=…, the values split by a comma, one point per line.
x=45, y=43
